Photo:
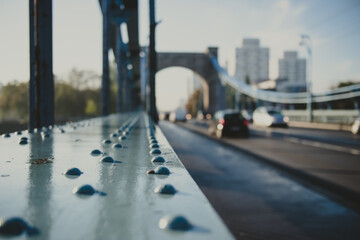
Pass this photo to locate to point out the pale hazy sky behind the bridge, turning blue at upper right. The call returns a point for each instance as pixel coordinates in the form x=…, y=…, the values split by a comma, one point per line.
x=192, y=26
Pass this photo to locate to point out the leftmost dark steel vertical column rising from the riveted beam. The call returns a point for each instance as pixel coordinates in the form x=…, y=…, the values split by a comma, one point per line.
x=41, y=85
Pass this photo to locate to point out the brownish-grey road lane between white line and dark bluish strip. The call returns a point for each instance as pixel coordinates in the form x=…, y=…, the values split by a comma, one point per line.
x=324, y=175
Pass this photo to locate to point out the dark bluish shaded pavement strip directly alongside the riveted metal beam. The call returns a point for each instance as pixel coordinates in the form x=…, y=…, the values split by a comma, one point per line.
x=254, y=199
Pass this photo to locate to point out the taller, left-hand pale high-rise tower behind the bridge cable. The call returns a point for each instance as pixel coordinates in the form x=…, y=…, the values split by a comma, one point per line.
x=252, y=61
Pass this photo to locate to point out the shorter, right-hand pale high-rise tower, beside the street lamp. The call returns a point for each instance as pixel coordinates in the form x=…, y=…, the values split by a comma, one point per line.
x=292, y=73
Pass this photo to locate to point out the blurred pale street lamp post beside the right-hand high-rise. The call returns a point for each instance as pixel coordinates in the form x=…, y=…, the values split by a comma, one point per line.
x=307, y=43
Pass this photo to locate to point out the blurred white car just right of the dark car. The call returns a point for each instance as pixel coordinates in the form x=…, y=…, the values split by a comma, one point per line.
x=269, y=117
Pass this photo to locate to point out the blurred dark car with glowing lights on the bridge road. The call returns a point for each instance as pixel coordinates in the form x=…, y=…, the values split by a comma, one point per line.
x=229, y=123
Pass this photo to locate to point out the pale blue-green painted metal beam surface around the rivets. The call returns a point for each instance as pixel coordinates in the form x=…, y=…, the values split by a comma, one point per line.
x=35, y=188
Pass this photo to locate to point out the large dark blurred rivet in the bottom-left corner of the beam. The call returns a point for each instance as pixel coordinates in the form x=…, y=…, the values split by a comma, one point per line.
x=15, y=227
